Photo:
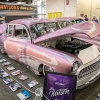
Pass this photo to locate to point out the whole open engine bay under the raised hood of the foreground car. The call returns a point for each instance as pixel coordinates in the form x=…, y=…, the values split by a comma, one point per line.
x=66, y=44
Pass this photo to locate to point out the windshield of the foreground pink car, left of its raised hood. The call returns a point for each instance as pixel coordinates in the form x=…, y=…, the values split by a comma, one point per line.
x=44, y=28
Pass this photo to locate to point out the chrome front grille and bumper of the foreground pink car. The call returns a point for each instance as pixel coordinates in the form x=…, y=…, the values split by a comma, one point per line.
x=88, y=73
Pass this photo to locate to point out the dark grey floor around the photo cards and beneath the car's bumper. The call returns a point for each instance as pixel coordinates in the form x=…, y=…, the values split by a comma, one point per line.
x=88, y=93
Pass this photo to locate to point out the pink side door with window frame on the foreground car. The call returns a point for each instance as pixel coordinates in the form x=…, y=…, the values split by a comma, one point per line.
x=18, y=38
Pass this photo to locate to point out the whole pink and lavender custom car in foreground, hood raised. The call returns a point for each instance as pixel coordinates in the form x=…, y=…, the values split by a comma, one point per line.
x=74, y=49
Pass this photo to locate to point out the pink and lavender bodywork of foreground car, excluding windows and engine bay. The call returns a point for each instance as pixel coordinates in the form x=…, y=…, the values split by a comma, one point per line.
x=36, y=57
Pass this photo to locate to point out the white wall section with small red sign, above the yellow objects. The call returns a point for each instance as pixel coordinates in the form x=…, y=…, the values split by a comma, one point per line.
x=60, y=6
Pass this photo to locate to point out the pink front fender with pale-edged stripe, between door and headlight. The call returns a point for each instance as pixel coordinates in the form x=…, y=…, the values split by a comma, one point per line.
x=49, y=57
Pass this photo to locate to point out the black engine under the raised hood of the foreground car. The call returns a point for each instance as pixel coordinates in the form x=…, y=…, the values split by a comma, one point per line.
x=71, y=45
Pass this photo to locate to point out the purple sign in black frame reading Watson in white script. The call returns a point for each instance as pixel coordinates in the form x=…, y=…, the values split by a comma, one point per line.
x=59, y=86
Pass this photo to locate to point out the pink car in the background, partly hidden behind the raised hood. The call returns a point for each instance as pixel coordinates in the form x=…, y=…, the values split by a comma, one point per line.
x=67, y=21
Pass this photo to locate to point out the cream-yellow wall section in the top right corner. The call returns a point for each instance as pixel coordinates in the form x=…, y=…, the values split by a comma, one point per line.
x=89, y=7
